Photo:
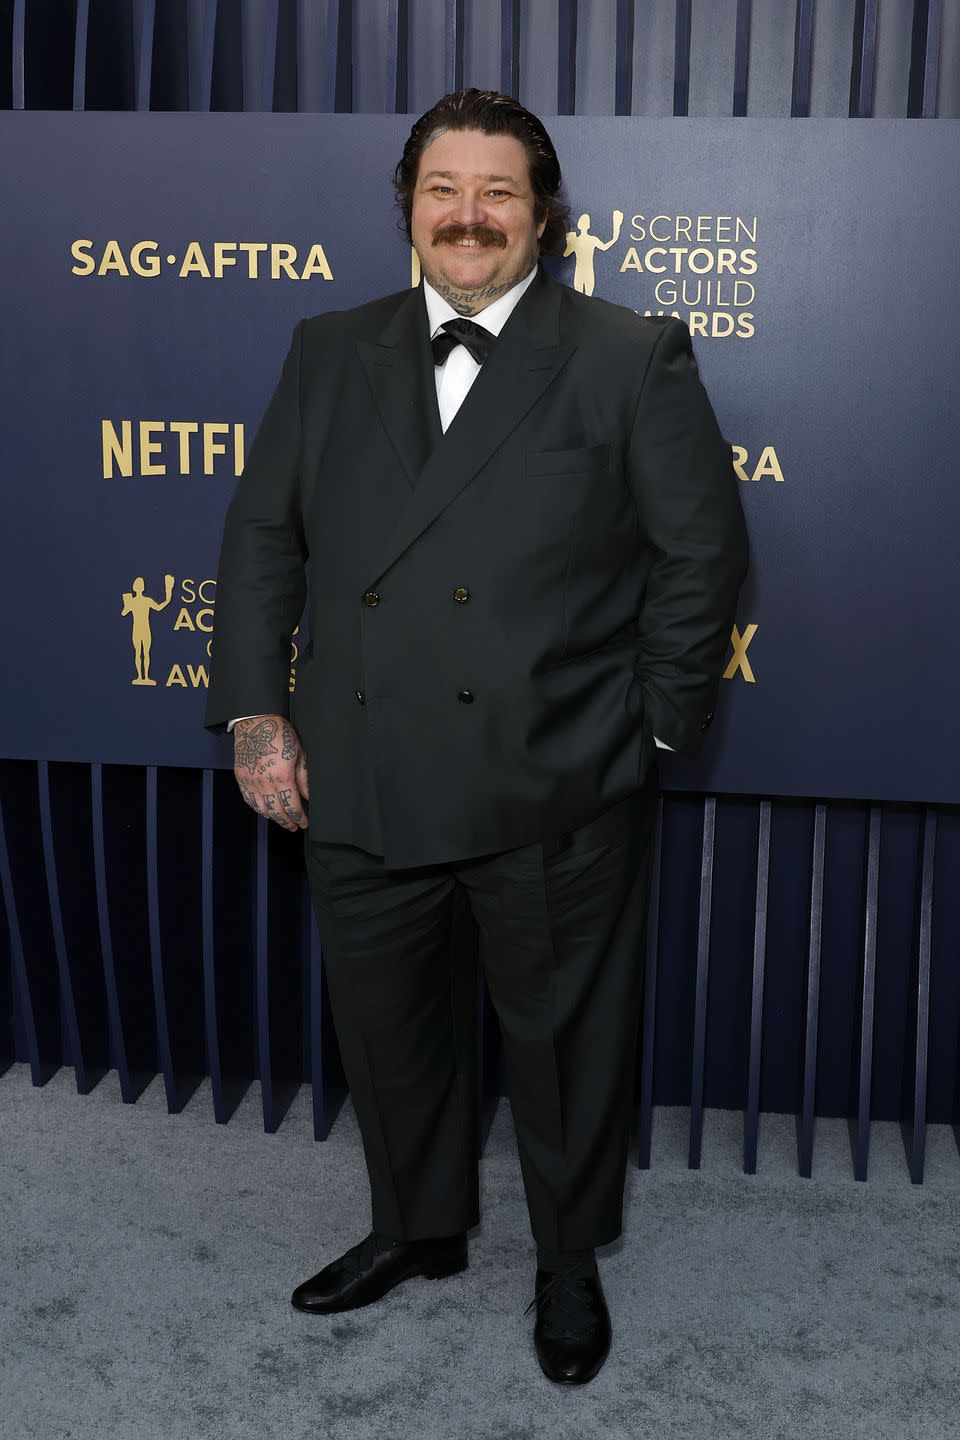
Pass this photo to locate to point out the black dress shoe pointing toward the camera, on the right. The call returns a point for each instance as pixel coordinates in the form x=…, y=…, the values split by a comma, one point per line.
x=572, y=1336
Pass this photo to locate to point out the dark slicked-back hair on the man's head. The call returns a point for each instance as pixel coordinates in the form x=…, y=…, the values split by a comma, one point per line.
x=493, y=114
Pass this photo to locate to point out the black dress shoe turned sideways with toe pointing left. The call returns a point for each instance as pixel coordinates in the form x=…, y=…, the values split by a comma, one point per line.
x=368, y=1271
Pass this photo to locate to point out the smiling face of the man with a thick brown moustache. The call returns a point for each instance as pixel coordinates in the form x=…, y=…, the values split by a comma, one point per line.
x=473, y=218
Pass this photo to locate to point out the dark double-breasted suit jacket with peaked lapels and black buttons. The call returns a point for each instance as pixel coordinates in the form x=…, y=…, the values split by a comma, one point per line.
x=500, y=618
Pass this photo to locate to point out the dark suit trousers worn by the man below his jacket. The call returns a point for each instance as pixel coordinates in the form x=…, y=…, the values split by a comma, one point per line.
x=562, y=928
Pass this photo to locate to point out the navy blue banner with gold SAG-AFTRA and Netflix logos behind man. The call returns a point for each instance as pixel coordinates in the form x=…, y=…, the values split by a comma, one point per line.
x=155, y=267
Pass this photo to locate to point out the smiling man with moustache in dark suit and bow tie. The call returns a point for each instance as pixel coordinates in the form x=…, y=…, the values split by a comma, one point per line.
x=520, y=545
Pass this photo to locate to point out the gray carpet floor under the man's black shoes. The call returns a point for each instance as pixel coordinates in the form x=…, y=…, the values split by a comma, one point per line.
x=148, y=1264
